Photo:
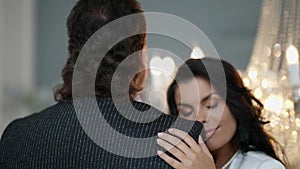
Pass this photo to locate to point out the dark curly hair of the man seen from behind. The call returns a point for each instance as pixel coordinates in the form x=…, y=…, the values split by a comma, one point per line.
x=88, y=16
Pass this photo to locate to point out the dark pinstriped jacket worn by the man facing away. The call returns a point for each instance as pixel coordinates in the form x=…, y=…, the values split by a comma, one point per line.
x=55, y=138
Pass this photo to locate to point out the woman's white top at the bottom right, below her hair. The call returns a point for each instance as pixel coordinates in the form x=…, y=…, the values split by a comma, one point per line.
x=255, y=160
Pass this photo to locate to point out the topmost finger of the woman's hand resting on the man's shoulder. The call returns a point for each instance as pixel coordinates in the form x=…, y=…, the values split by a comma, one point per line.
x=186, y=138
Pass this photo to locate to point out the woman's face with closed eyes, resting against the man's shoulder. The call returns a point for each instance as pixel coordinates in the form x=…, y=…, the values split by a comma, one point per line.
x=197, y=100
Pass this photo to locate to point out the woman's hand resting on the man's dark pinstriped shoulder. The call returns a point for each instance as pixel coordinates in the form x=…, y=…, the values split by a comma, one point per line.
x=188, y=153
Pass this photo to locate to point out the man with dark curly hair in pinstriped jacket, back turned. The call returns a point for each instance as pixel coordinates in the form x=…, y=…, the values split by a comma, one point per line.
x=61, y=136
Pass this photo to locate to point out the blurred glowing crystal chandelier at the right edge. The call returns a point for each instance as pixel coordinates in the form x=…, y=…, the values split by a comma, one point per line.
x=273, y=72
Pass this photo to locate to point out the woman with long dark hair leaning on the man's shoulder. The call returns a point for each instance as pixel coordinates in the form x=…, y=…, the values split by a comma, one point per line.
x=211, y=91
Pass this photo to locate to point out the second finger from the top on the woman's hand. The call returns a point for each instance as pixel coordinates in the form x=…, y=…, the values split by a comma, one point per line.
x=175, y=142
